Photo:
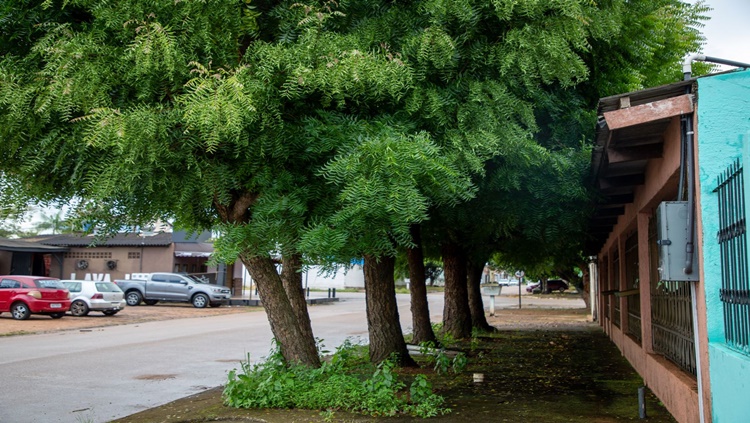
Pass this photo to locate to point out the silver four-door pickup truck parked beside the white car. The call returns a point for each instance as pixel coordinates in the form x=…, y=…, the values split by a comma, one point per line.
x=173, y=287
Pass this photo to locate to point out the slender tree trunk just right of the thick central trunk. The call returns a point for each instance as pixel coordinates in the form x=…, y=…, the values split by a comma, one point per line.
x=420, y=311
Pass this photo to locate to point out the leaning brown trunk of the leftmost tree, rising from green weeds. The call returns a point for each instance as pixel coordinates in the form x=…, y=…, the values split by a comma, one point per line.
x=297, y=347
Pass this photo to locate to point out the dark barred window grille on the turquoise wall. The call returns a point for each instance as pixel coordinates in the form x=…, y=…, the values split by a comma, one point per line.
x=735, y=287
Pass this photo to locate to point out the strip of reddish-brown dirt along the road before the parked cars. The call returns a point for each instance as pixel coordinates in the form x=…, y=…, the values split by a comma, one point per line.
x=139, y=314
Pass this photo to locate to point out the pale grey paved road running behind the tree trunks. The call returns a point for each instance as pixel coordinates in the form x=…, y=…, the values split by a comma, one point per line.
x=111, y=372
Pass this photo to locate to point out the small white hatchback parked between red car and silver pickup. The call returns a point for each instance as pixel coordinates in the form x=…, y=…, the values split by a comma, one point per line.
x=94, y=296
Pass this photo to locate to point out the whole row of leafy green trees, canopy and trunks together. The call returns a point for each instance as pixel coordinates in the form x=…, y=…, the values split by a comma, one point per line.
x=329, y=131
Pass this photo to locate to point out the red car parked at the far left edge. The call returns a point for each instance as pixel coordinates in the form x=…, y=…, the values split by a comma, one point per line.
x=24, y=295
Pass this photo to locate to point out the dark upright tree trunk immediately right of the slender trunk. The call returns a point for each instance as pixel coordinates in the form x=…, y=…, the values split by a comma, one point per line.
x=456, y=314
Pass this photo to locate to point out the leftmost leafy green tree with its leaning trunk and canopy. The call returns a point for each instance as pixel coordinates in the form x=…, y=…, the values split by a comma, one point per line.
x=195, y=112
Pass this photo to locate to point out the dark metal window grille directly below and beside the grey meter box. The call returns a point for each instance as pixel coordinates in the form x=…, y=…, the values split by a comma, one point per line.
x=671, y=313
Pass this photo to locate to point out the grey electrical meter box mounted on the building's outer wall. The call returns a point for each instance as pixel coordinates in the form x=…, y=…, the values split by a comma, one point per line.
x=672, y=239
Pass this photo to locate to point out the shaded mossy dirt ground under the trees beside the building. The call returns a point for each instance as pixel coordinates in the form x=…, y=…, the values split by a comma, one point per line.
x=542, y=365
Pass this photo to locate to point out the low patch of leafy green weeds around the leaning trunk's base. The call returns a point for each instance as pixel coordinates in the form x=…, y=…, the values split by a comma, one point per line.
x=341, y=383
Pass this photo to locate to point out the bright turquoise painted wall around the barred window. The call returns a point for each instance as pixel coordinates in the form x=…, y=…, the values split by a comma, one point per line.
x=723, y=129
